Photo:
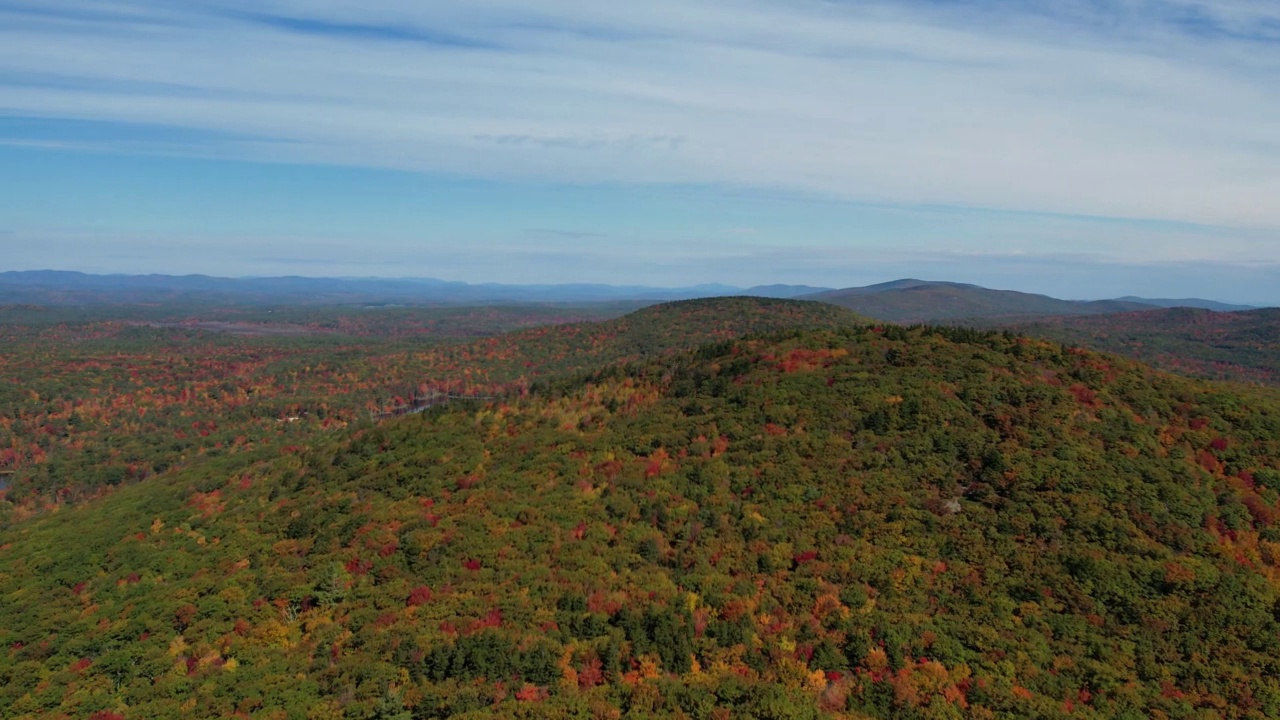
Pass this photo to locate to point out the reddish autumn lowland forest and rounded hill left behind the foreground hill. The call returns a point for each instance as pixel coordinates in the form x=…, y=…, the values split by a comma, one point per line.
x=93, y=399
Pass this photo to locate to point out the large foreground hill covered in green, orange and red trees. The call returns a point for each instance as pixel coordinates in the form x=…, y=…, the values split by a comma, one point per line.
x=851, y=523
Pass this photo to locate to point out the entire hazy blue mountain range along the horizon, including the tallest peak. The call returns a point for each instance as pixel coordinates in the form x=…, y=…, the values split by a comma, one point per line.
x=898, y=302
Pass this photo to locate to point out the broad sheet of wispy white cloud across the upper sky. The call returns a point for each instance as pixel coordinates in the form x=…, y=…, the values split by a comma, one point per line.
x=1158, y=110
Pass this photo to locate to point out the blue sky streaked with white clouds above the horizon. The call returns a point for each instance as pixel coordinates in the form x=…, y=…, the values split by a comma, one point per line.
x=1080, y=148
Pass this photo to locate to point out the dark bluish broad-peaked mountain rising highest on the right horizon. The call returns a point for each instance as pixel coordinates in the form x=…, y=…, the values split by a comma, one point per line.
x=921, y=302
